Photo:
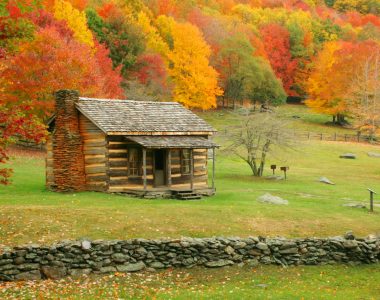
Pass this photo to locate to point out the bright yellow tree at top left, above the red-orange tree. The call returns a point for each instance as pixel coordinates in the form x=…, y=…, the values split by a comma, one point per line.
x=75, y=19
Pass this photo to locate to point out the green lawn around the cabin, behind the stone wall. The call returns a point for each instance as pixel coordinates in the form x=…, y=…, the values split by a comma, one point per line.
x=29, y=213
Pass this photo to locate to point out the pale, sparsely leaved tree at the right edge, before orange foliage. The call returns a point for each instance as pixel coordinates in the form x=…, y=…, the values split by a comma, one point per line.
x=364, y=96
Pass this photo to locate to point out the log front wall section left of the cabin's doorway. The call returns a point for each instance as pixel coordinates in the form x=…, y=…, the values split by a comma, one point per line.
x=119, y=179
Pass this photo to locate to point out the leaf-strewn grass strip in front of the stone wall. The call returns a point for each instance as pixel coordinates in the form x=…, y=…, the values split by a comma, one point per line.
x=269, y=282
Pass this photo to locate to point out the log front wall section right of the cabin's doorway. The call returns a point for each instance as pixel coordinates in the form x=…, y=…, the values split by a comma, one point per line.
x=200, y=178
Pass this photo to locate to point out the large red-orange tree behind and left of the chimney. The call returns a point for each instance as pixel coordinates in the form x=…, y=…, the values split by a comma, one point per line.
x=51, y=62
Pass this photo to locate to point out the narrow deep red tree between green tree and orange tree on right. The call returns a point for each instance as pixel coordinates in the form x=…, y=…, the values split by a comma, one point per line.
x=277, y=47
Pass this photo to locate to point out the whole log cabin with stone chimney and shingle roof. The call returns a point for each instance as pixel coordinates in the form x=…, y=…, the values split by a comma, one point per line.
x=149, y=149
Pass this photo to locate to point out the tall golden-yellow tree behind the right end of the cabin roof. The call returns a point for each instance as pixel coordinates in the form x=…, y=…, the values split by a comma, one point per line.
x=195, y=81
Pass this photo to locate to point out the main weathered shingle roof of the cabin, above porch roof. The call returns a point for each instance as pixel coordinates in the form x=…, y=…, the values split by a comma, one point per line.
x=128, y=117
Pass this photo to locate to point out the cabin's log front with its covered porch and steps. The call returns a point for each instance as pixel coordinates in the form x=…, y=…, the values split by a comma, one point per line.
x=161, y=167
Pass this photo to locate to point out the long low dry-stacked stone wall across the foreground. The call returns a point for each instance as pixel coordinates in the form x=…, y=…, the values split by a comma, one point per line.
x=99, y=256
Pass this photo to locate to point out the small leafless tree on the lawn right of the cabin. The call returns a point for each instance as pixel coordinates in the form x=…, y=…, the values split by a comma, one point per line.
x=256, y=136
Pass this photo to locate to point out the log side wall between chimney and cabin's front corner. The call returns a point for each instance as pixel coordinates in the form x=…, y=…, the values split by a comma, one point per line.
x=95, y=155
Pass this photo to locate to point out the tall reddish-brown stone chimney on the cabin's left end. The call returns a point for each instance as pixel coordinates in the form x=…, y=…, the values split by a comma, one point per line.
x=68, y=158
